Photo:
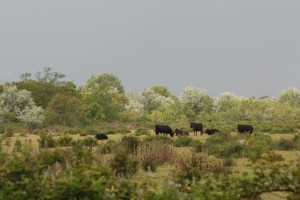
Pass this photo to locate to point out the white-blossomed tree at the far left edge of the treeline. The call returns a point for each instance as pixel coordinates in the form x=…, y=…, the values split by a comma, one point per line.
x=18, y=105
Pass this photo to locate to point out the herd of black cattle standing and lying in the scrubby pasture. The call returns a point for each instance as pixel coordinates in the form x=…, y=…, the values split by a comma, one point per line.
x=197, y=127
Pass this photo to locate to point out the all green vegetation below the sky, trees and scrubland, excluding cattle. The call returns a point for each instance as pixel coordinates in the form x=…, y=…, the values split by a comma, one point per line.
x=48, y=149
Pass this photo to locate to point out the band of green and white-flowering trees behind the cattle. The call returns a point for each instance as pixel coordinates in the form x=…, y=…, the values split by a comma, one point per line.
x=46, y=99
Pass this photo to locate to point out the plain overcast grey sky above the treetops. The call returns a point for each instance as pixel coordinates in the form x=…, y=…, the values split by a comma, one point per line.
x=247, y=47
